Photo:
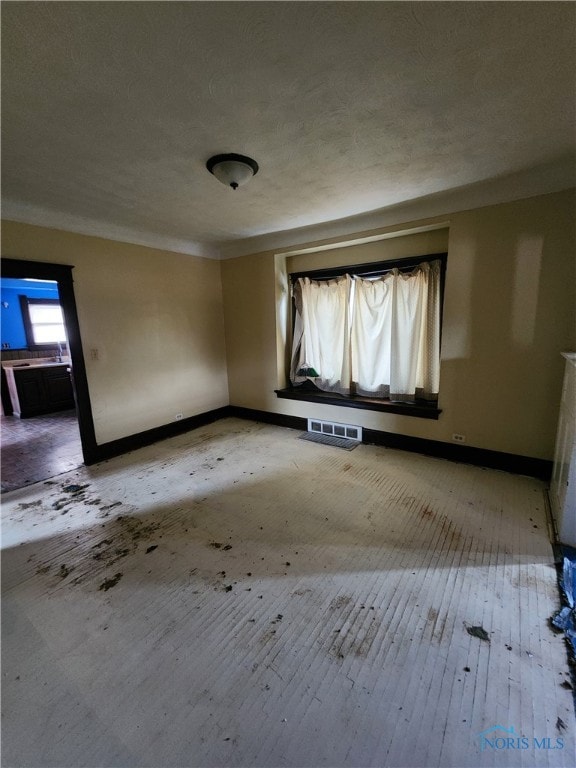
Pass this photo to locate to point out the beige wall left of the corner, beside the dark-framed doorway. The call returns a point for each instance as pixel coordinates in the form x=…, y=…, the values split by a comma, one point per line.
x=155, y=318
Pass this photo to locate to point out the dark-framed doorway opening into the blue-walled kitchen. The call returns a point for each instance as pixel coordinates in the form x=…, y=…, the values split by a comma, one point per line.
x=54, y=442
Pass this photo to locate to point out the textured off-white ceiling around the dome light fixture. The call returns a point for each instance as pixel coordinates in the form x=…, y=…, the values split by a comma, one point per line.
x=110, y=110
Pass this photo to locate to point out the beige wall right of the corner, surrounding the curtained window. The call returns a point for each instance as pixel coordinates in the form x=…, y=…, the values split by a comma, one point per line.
x=509, y=311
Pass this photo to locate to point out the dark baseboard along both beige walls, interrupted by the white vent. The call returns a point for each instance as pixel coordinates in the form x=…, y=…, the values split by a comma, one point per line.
x=481, y=457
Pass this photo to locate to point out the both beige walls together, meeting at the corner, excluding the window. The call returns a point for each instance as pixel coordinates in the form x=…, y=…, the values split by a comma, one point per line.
x=156, y=319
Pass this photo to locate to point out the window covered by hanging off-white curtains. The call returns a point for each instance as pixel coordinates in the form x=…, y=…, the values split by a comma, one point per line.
x=370, y=331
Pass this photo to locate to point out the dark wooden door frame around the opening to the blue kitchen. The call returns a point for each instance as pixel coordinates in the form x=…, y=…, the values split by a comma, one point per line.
x=62, y=274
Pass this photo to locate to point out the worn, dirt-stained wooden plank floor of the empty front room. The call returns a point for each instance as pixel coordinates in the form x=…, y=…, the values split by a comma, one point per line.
x=239, y=597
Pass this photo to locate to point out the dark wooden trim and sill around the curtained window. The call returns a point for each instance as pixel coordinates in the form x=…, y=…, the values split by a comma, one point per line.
x=420, y=409
